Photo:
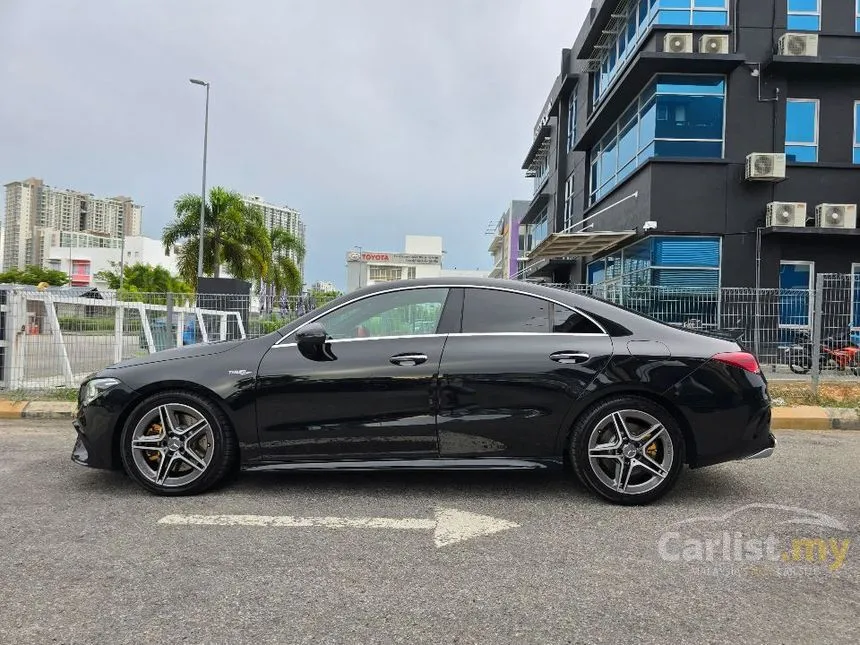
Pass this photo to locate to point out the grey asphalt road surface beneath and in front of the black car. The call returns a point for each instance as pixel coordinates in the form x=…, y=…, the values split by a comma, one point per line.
x=85, y=559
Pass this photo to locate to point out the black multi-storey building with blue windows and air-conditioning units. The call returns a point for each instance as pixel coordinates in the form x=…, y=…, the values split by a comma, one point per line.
x=700, y=143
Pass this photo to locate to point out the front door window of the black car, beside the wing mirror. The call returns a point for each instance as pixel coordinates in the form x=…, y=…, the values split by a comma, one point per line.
x=412, y=312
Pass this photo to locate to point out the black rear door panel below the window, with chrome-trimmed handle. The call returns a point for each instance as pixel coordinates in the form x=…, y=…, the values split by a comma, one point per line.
x=507, y=396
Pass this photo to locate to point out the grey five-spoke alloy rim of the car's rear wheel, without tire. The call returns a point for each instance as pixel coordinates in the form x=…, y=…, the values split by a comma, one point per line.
x=630, y=452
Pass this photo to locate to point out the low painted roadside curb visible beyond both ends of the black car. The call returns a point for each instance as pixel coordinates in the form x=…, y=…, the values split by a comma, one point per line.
x=794, y=418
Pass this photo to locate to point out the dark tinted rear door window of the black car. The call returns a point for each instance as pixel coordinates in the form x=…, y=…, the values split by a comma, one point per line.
x=489, y=311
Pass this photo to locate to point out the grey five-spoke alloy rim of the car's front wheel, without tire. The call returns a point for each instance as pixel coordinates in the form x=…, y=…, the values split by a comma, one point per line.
x=172, y=445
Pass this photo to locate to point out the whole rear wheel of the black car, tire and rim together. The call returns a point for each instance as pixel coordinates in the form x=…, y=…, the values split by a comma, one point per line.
x=627, y=449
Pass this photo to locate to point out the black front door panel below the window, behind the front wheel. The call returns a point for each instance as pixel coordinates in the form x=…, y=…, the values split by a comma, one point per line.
x=368, y=398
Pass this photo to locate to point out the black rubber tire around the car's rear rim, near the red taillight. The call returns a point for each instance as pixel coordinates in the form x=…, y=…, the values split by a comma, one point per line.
x=594, y=422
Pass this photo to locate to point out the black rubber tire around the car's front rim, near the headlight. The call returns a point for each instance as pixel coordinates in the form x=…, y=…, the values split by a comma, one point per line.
x=222, y=450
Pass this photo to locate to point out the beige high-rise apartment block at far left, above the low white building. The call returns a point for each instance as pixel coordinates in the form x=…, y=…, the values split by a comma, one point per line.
x=34, y=212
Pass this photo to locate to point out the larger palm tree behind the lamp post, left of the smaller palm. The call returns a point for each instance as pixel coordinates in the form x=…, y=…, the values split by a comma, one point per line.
x=234, y=237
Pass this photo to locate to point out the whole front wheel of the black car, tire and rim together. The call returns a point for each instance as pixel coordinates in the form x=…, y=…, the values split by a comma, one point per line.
x=178, y=443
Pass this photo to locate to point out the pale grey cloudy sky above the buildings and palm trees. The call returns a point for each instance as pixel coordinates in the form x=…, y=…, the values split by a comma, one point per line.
x=375, y=118
